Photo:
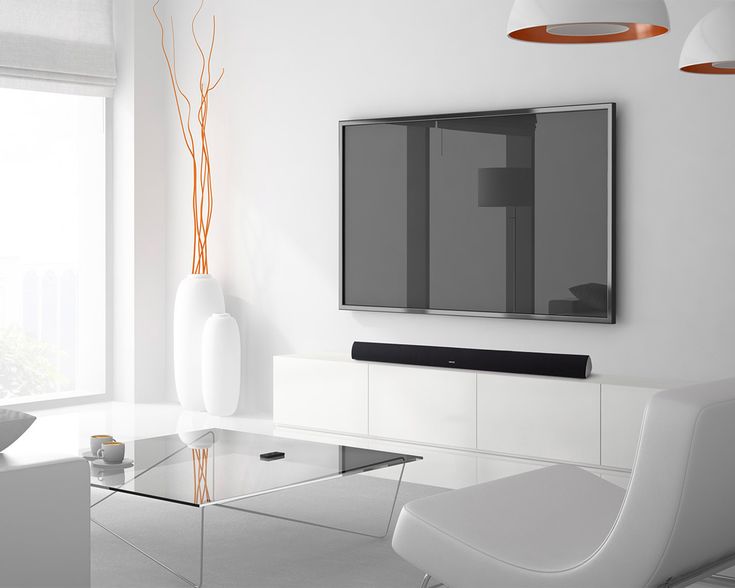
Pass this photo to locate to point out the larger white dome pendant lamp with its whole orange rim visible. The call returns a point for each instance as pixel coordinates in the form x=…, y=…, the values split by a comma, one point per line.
x=587, y=21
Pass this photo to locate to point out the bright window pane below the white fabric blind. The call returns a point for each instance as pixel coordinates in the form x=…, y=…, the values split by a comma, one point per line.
x=52, y=246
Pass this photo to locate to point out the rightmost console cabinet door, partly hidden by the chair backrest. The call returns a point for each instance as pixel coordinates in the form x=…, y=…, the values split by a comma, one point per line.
x=622, y=416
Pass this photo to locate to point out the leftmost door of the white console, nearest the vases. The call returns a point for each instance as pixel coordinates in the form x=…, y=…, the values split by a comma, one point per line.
x=320, y=394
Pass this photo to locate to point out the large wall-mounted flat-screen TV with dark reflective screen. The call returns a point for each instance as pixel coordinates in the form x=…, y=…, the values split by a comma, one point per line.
x=499, y=214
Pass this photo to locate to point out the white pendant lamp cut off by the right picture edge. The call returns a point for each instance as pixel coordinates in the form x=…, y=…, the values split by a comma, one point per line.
x=710, y=47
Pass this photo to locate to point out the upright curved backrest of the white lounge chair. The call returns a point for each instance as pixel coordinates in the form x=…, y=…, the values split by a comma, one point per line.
x=679, y=512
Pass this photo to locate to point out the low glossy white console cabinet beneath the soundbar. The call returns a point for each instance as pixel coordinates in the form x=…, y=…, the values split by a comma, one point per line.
x=592, y=422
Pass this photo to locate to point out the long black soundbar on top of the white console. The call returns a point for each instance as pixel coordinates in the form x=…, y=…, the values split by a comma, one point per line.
x=513, y=362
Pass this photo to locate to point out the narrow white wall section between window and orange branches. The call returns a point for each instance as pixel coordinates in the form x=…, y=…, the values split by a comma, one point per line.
x=137, y=282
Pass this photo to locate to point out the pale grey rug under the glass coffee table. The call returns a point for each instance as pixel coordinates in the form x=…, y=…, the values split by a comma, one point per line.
x=255, y=551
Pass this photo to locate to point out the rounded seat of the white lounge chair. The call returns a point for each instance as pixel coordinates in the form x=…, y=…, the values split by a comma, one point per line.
x=547, y=520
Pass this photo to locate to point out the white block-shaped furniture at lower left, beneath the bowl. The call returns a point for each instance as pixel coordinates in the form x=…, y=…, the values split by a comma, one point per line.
x=44, y=522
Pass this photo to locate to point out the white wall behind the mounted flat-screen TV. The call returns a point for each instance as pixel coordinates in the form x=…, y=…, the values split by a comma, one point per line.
x=294, y=68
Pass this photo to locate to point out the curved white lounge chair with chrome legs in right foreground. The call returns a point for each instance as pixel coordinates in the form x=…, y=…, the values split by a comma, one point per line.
x=564, y=527
